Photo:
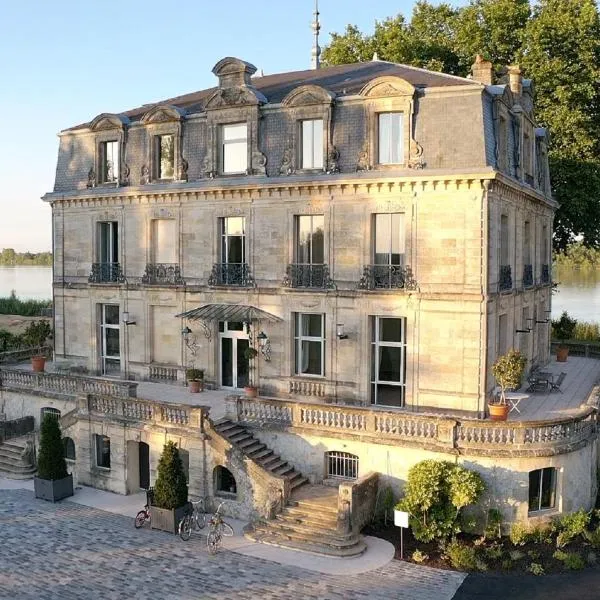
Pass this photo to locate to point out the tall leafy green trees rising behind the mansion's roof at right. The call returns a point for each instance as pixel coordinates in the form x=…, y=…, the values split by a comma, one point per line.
x=556, y=43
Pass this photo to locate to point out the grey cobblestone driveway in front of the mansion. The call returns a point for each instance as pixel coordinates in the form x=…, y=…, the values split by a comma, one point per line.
x=71, y=552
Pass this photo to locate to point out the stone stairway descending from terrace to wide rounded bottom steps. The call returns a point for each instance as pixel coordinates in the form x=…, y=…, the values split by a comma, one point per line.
x=309, y=522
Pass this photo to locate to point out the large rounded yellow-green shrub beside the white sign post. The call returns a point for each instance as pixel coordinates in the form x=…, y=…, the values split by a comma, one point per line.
x=435, y=493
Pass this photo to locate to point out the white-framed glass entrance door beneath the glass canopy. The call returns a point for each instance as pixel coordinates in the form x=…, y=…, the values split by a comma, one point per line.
x=234, y=363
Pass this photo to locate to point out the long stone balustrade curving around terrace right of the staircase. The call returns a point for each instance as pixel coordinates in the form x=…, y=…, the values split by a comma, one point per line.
x=436, y=432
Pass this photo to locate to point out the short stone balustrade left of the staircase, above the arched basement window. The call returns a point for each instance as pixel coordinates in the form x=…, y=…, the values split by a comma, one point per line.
x=147, y=411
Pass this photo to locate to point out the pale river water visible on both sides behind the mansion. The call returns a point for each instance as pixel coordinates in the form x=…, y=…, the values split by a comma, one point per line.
x=578, y=291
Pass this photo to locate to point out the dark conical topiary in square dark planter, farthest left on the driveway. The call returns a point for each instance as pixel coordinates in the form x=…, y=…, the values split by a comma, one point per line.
x=52, y=481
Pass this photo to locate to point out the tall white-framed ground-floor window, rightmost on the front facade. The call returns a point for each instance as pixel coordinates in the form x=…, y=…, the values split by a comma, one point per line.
x=388, y=361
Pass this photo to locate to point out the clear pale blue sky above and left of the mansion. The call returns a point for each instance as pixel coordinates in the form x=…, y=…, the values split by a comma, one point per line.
x=66, y=61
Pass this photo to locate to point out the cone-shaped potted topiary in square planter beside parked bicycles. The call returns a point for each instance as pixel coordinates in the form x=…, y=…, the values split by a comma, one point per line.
x=169, y=504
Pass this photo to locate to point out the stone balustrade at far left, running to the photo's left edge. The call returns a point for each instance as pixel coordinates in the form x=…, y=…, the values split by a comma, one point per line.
x=66, y=384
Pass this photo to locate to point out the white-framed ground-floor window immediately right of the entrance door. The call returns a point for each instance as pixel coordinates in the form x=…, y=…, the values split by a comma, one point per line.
x=309, y=336
